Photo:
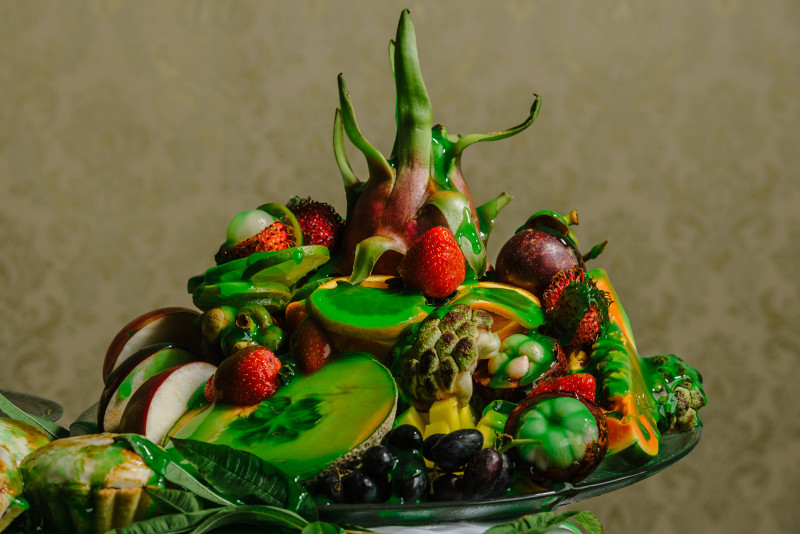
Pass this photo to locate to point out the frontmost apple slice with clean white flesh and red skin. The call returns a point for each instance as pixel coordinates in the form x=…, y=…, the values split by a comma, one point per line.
x=164, y=398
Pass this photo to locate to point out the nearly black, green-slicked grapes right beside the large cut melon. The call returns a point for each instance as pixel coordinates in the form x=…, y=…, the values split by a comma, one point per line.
x=394, y=470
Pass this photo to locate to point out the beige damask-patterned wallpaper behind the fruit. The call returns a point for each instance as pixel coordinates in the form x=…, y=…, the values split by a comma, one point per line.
x=131, y=131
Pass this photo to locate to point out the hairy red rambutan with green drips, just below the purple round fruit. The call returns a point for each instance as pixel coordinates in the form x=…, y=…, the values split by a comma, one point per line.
x=575, y=308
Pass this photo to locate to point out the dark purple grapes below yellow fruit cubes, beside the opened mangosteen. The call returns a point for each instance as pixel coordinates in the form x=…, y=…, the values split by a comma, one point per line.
x=485, y=473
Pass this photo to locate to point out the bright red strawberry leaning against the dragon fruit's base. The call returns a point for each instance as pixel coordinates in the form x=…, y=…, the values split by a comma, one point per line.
x=434, y=264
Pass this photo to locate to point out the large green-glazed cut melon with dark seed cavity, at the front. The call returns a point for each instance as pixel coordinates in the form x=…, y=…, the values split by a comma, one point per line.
x=316, y=421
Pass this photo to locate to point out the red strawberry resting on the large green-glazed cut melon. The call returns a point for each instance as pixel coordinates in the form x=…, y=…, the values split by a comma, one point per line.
x=247, y=377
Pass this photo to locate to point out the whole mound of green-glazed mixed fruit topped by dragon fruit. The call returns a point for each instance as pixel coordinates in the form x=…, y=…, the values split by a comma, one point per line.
x=378, y=357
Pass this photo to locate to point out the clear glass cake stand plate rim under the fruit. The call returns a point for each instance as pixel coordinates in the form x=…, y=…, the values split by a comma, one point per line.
x=611, y=475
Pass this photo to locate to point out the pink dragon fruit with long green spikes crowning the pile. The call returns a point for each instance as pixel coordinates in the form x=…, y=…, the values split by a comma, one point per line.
x=419, y=186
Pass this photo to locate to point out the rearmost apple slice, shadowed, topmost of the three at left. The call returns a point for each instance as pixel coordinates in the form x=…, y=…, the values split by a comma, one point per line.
x=175, y=324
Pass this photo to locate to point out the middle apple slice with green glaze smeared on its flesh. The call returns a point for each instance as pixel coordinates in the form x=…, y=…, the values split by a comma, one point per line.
x=130, y=374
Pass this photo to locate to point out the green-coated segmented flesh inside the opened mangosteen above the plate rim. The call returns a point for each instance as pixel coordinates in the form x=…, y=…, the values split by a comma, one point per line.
x=564, y=426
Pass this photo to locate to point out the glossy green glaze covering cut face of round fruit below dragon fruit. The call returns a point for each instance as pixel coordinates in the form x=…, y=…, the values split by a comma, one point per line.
x=368, y=307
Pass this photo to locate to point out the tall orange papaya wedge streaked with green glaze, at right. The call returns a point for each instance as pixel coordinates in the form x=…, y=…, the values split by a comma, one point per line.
x=622, y=390
